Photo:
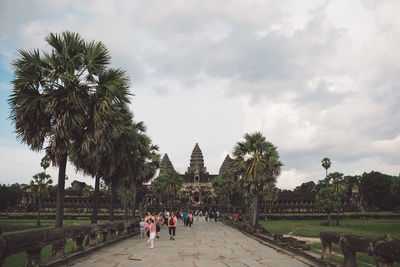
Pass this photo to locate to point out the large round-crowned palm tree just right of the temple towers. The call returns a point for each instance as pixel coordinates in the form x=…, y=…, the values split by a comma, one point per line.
x=256, y=163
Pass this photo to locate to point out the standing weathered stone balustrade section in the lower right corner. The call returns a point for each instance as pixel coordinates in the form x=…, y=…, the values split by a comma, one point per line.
x=385, y=252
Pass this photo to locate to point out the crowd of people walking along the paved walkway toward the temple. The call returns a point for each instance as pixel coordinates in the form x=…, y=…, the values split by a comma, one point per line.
x=150, y=225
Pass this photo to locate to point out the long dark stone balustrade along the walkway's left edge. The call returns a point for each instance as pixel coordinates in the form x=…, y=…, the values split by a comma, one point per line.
x=94, y=235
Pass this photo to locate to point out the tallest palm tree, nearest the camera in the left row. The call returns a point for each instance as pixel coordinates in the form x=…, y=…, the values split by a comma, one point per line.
x=53, y=93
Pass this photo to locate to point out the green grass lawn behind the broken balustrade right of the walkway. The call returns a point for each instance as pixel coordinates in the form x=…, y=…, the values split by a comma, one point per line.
x=376, y=229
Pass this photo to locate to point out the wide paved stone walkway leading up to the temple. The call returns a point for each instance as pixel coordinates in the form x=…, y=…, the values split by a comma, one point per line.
x=205, y=244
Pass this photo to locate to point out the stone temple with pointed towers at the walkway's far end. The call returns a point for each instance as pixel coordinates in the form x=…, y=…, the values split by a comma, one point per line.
x=197, y=188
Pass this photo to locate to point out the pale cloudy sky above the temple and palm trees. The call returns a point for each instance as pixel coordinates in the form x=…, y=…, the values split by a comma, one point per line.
x=317, y=78
